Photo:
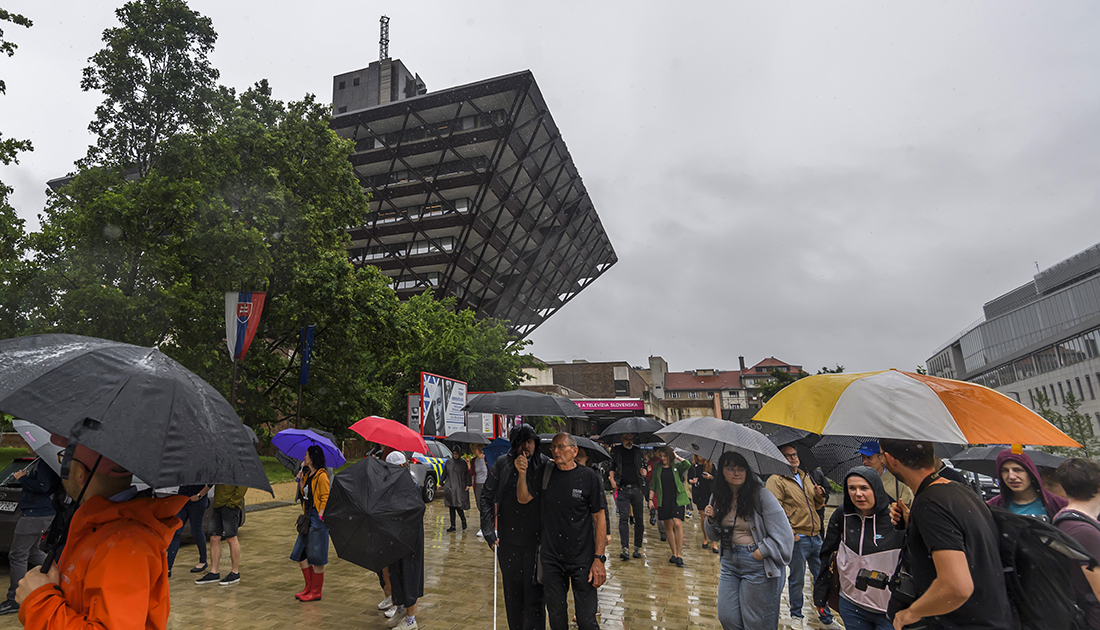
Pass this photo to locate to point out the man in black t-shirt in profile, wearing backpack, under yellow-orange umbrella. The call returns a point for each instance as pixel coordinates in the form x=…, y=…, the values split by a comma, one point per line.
x=952, y=547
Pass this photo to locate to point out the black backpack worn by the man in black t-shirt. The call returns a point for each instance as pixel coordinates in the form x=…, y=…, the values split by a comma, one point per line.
x=1040, y=565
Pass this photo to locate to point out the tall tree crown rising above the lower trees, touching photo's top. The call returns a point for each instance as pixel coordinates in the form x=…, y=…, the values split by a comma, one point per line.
x=157, y=81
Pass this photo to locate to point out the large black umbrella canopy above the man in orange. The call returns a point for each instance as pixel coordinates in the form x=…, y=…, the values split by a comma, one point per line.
x=133, y=405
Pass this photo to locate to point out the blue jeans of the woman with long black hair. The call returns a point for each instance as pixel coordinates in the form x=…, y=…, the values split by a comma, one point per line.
x=749, y=600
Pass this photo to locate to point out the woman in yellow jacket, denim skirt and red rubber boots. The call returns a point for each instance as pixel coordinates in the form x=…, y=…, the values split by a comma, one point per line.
x=312, y=549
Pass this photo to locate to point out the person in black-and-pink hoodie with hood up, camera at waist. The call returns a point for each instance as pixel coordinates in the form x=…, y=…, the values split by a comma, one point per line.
x=863, y=537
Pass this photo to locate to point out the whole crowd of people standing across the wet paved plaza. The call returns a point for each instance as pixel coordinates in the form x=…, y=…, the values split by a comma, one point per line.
x=929, y=551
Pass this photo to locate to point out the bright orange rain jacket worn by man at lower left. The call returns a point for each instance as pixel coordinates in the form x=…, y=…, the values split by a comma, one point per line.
x=114, y=570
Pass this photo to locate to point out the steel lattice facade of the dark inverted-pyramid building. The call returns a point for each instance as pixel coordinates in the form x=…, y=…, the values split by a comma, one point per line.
x=475, y=195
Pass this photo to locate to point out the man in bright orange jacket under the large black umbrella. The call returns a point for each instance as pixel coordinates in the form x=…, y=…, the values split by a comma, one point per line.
x=114, y=572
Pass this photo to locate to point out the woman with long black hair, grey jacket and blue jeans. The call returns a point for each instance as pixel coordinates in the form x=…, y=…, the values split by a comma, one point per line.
x=757, y=543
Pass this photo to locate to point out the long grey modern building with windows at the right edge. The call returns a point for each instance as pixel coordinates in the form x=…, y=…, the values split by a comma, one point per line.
x=1039, y=341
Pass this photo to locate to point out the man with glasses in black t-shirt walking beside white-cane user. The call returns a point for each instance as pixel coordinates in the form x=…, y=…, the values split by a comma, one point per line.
x=573, y=554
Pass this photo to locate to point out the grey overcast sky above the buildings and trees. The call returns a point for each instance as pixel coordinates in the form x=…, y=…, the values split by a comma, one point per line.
x=822, y=182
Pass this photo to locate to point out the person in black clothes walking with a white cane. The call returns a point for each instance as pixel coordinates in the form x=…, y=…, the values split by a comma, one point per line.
x=513, y=530
